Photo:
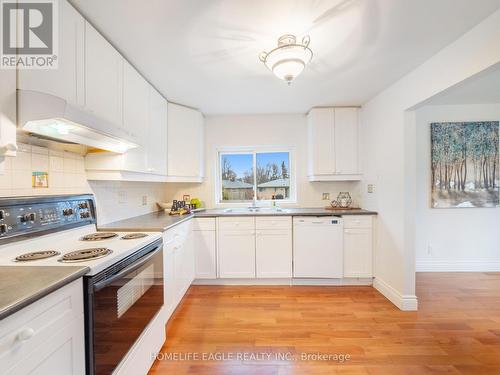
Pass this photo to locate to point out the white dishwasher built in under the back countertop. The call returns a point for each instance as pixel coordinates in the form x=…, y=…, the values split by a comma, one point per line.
x=318, y=247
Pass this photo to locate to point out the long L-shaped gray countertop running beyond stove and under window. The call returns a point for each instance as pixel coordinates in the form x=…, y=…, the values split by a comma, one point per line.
x=161, y=221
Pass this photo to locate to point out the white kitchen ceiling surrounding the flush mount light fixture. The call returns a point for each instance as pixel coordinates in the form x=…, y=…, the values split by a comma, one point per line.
x=204, y=53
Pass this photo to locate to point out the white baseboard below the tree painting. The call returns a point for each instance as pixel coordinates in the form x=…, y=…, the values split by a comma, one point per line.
x=481, y=265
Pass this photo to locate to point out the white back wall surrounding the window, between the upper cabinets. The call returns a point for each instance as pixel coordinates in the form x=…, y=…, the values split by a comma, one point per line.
x=261, y=130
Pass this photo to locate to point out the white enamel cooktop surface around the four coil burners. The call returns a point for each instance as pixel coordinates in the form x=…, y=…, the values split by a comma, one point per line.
x=70, y=240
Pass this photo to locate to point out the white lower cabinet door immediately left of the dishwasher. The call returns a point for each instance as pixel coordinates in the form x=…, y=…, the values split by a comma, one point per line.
x=273, y=247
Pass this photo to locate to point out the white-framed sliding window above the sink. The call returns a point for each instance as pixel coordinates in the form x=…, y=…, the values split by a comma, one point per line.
x=263, y=176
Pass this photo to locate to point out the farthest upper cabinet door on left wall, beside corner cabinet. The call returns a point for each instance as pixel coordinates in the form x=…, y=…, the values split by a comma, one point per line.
x=157, y=134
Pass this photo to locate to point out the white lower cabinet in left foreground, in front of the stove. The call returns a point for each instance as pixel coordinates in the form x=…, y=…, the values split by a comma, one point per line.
x=46, y=337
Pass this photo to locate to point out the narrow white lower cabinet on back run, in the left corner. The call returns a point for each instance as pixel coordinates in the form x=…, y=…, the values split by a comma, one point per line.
x=205, y=248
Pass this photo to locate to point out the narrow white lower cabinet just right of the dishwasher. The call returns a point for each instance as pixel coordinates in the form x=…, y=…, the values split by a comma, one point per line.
x=358, y=247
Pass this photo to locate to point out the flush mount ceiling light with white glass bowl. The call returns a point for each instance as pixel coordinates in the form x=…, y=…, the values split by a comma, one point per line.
x=289, y=59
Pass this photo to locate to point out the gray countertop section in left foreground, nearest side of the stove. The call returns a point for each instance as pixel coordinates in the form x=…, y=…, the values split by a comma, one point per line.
x=23, y=285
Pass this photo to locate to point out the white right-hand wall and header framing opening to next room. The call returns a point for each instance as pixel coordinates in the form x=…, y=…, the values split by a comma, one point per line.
x=389, y=158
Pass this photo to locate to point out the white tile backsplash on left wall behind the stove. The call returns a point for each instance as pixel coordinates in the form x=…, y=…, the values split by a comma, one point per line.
x=115, y=200
